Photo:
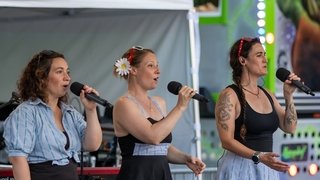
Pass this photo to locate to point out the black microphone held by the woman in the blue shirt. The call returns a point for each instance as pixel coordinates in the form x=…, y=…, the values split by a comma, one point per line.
x=76, y=89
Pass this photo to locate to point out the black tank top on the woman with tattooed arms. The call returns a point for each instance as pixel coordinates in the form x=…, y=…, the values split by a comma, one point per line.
x=260, y=127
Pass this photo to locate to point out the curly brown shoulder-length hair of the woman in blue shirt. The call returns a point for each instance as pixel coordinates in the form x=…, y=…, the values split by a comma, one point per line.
x=33, y=81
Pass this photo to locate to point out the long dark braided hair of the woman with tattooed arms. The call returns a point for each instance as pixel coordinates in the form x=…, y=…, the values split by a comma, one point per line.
x=241, y=48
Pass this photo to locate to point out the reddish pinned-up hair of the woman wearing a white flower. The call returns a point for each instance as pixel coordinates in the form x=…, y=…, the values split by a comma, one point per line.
x=134, y=56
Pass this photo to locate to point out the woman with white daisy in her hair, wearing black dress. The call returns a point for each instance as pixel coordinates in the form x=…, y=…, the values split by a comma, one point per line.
x=141, y=123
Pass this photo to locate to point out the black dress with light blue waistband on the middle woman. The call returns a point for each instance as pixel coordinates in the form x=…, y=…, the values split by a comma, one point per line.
x=141, y=161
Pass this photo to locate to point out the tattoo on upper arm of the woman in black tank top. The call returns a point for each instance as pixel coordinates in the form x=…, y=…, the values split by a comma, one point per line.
x=224, y=108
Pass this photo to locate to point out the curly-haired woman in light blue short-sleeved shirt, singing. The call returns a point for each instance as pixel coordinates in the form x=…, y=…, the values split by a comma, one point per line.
x=44, y=134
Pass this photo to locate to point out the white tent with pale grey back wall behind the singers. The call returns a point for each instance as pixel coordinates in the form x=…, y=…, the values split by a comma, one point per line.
x=93, y=34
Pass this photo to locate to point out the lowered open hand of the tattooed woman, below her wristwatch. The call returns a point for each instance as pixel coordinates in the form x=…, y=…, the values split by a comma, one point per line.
x=271, y=159
